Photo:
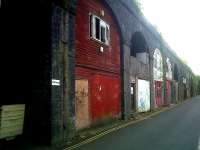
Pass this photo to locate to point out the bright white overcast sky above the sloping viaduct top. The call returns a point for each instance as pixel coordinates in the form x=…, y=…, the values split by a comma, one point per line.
x=179, y=23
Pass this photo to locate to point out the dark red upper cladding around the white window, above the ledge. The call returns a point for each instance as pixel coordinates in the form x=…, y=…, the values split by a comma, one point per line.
x=87, y=49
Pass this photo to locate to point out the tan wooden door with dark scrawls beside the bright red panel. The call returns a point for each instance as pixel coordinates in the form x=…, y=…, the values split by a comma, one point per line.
x=82, y=106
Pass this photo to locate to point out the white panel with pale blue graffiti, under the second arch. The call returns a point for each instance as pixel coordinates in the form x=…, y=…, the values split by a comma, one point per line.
x=143, y=103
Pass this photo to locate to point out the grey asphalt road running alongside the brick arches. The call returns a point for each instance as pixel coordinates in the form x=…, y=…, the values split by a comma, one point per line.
x=175, y=129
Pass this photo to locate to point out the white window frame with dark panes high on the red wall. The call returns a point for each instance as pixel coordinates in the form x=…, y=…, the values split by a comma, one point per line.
x=102, y=24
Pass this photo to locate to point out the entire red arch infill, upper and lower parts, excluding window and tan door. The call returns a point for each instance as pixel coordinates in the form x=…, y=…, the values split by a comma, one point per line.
x=102, y=70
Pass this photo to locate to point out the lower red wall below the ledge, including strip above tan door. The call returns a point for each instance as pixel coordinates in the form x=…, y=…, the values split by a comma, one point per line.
x=104, y=93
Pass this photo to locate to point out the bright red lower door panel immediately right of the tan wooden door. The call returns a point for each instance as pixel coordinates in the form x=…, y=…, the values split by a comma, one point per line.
x=105, y=97
